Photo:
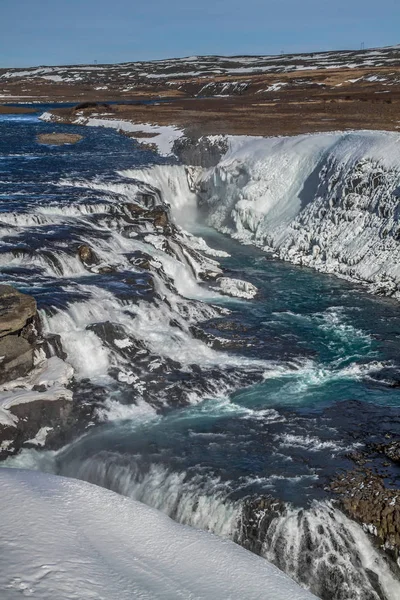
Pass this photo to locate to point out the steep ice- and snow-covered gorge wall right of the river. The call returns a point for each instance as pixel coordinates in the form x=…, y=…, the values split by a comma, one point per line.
x=328, y=201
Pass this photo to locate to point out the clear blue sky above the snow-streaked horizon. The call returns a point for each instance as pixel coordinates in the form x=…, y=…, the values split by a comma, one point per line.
x=37, y=32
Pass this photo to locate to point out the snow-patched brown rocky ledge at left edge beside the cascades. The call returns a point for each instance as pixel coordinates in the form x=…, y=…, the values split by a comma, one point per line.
x=36, y=399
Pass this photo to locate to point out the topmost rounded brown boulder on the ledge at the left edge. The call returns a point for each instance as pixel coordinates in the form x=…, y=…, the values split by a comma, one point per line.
x=16, y=310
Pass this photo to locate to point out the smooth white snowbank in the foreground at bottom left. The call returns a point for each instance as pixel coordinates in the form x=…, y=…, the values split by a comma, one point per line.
x=67, y=539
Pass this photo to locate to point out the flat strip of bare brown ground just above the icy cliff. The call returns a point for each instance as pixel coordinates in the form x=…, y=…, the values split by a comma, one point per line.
x=289, y=114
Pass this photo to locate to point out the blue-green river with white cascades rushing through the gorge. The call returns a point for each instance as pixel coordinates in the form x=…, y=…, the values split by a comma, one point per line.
x=306, y=372
